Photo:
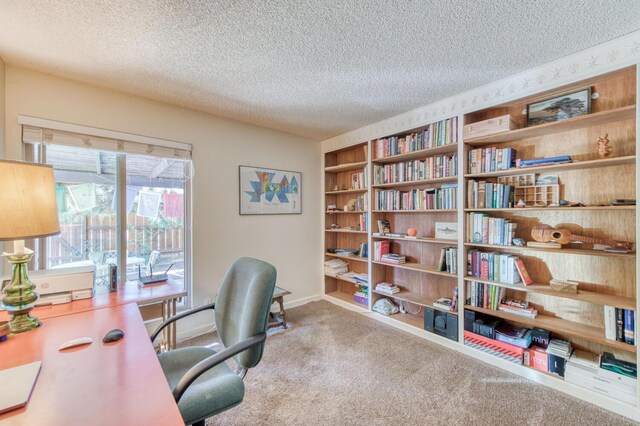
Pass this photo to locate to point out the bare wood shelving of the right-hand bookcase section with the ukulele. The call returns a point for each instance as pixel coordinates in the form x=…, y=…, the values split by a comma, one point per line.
x=591, y=181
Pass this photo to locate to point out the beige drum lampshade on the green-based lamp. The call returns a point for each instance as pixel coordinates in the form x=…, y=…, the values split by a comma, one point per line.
x=27, y=201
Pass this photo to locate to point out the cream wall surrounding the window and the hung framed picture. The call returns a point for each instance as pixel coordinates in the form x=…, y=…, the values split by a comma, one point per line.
x=292, y=243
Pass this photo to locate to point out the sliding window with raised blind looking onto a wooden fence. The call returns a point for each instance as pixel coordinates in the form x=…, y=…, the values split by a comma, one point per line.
x=115, y=207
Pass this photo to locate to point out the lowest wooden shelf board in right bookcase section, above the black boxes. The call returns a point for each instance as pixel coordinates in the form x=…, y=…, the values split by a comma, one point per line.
x=560, y=326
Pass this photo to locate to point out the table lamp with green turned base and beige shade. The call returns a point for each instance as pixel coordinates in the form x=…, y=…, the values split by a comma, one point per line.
x=27, y=210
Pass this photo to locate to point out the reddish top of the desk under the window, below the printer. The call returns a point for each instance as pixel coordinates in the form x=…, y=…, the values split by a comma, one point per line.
x=130, y=292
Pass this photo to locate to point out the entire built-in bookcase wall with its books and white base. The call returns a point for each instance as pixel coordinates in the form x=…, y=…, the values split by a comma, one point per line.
x=546, y=274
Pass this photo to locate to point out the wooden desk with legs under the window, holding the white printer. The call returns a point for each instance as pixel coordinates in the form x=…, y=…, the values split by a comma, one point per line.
x=166, y=293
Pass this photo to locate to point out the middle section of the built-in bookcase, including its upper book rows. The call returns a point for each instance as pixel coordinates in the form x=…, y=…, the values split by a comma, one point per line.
x=436, y=162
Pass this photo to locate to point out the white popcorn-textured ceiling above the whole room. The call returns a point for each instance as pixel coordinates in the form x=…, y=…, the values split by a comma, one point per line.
x=312, y=68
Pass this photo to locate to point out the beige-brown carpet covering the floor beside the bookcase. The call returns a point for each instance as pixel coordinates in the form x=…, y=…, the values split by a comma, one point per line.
x=338, y=367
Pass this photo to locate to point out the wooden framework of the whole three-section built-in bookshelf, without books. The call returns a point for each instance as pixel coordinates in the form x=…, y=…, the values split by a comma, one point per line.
x=588, y=184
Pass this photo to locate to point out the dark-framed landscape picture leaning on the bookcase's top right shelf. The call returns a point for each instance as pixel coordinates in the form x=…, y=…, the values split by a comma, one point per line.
x=559, y=107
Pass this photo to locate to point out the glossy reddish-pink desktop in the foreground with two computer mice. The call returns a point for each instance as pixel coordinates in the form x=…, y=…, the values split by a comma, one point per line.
x=100, y=384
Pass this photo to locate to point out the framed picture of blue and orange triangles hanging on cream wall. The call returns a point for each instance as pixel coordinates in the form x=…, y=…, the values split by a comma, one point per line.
x=270, y=191
